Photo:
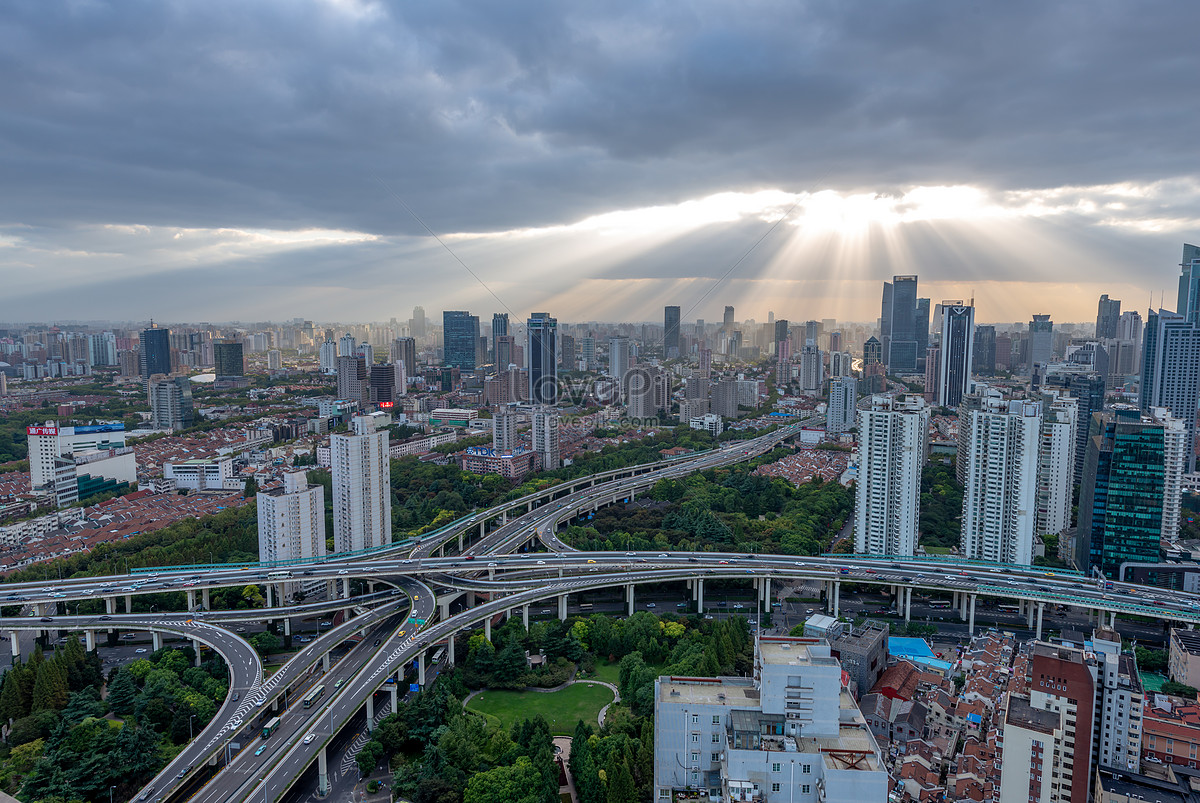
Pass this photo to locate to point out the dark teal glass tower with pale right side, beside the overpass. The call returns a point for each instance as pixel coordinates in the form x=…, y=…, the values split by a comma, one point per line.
x=1130, y=495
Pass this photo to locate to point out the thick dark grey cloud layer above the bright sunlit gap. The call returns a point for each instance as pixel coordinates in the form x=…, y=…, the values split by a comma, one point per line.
x=501, y=116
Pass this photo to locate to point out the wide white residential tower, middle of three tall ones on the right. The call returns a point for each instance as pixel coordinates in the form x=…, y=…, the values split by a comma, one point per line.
x=1000, y=499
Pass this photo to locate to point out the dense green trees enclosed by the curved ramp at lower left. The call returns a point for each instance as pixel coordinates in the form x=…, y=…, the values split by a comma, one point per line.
x=69, y=744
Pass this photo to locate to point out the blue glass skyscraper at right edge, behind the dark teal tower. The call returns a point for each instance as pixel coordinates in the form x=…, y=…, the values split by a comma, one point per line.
x=1171, y=370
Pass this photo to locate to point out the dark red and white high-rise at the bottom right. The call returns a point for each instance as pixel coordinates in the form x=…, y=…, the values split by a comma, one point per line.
x=1048, y=735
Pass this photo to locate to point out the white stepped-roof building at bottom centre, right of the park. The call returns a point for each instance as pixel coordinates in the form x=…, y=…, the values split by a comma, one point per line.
x=791, y=734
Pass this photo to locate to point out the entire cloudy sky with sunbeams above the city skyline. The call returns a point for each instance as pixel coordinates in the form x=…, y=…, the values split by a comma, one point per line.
x=220, y=160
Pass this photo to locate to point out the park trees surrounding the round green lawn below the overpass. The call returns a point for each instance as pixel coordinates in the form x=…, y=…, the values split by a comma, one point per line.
x=442, y=754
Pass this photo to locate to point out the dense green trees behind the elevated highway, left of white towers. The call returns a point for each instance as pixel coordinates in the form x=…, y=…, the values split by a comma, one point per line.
x=724, y=511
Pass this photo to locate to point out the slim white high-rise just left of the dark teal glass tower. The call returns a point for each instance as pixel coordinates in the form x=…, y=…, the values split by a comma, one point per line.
x=1057, y=463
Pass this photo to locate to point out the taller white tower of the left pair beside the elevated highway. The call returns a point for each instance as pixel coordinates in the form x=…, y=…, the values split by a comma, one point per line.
x=362, y=484
